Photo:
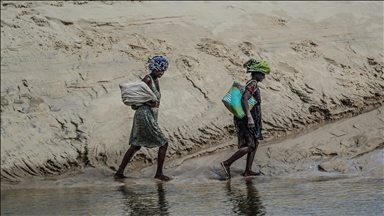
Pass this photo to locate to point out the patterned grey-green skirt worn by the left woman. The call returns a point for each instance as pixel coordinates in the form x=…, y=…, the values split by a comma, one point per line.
x=145, y=130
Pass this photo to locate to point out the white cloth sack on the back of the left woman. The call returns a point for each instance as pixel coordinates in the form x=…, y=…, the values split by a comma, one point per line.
x=136, y=93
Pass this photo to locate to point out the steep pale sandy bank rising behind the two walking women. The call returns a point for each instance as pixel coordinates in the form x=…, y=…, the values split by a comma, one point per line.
x=62, y=63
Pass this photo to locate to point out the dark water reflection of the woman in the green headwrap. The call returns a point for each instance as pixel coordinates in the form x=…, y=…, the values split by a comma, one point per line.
x=246, y=202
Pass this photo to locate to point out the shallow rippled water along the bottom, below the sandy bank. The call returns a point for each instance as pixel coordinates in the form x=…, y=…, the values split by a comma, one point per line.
x=240, y=196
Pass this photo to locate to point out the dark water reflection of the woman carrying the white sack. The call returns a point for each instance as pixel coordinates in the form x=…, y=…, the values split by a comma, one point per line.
x=142, y=202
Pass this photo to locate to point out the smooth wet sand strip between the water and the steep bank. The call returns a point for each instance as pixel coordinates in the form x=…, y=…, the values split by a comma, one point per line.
x=204, y=167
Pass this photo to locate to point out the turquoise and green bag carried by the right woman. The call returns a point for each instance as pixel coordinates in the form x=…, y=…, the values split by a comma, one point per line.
x=232, y=100
